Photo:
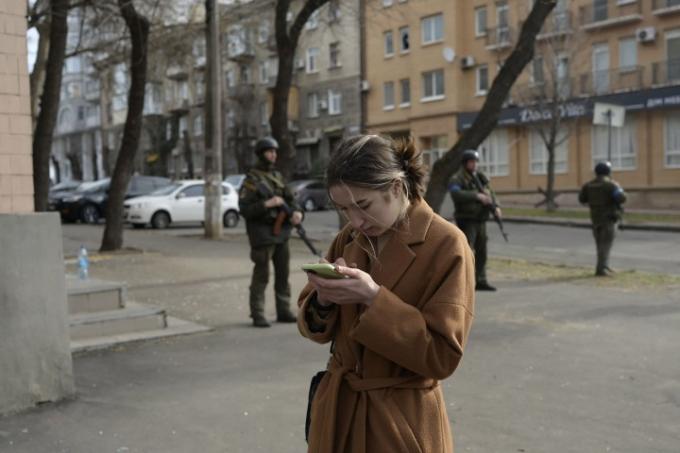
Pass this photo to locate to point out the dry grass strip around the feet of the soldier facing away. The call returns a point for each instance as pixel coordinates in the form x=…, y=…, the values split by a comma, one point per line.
x=514, y=270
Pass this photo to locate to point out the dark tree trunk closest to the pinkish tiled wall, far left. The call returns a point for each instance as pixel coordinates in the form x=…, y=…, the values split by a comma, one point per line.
x=49, y=103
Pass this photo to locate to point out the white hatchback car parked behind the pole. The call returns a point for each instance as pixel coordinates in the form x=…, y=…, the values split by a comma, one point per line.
x=180, y=202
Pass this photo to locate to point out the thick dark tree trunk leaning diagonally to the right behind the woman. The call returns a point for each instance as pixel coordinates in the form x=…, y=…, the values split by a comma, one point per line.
x=487, y=118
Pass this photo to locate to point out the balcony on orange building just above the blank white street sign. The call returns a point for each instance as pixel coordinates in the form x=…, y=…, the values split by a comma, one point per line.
x=612, y=81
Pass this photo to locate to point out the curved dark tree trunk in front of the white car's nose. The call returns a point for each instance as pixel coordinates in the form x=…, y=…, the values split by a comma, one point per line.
x=138, y=27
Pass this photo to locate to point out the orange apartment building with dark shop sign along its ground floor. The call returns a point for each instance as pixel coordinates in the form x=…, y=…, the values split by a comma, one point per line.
x=624, y=52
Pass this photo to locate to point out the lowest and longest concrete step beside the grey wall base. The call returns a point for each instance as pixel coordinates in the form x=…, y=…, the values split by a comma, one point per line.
x=175, y=327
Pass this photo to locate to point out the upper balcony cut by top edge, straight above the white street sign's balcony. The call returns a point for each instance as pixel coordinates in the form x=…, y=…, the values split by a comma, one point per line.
x=609, y=13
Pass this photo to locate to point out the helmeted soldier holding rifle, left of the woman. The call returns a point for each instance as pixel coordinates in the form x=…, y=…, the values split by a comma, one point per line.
x=261, y=198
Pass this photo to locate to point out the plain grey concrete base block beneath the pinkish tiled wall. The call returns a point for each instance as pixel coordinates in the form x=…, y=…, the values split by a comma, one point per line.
x=34, y=337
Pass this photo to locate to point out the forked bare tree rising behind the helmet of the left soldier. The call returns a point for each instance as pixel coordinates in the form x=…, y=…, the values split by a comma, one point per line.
x=286, y=43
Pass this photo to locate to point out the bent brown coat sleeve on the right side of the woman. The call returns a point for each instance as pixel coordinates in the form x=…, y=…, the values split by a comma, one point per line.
x=428, y=341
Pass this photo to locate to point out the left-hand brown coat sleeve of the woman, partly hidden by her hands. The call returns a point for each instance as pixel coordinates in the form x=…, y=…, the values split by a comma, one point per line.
x=310, y=324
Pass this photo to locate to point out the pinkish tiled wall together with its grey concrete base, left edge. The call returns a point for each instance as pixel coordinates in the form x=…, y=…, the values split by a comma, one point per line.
x=35, y=358
